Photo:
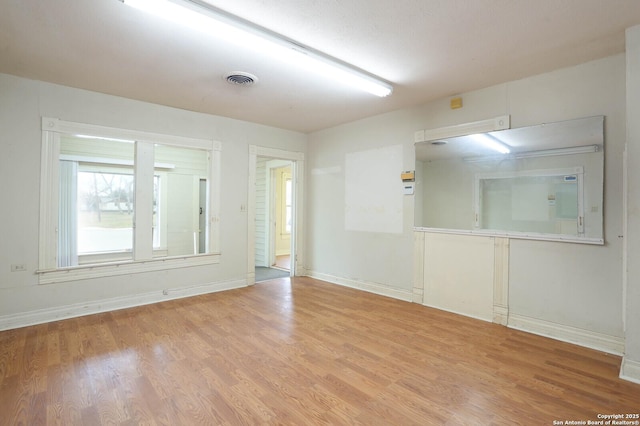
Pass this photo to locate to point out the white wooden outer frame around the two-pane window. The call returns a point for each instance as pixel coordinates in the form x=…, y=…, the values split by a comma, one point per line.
x=143, y=260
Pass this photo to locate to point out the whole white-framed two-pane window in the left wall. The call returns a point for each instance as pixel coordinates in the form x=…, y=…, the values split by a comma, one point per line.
x=112, y=197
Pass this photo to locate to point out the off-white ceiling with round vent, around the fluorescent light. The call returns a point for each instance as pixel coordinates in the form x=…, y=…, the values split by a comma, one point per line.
x=428, y=49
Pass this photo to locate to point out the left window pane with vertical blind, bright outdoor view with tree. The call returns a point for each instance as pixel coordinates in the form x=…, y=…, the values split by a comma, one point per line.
x=96, y=200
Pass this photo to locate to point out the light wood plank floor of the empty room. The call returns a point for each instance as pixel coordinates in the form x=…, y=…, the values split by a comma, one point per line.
x=299, y=352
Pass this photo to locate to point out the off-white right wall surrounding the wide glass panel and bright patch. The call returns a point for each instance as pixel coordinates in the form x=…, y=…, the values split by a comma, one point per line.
x=573, y=286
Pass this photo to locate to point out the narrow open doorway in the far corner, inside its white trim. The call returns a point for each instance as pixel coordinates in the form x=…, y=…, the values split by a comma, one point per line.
x=274, y=219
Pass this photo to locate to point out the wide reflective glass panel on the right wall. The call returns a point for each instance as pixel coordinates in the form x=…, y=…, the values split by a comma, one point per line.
x=549, y=187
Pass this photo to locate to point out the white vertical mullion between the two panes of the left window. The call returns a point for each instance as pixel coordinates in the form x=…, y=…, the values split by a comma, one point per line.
x=143, y=204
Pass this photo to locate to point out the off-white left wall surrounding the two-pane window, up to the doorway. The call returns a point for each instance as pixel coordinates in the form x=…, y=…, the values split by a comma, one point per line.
x=22, y=104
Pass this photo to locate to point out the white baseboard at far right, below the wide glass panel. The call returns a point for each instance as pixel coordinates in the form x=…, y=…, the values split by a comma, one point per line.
x=590, y=339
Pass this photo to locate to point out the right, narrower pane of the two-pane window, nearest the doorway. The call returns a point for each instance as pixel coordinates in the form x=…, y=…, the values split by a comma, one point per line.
x=180, y=210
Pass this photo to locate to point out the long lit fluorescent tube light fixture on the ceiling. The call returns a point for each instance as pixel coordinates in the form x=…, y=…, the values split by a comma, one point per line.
x=204, y=17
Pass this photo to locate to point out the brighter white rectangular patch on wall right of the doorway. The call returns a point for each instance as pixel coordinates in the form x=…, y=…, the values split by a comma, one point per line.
x=373, y=190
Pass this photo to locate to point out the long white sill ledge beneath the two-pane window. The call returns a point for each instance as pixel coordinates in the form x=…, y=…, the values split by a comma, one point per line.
x=83, y=272
